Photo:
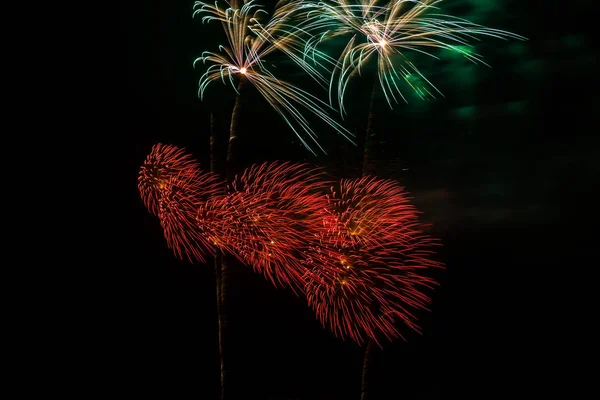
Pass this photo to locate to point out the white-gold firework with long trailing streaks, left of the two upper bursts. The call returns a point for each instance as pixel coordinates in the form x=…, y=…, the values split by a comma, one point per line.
x=249, y=42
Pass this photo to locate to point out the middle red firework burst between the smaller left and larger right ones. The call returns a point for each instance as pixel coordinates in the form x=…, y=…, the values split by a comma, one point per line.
x=266, y=218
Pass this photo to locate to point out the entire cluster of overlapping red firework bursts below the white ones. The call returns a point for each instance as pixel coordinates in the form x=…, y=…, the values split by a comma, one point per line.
x=356, y=250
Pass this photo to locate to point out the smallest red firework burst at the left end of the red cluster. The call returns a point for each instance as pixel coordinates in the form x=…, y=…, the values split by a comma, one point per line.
x=173, y=186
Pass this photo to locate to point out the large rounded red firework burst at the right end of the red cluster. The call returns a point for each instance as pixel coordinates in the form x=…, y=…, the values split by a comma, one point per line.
x=369, y=262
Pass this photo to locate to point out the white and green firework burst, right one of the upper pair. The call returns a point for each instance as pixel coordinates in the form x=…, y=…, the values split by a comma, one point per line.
x=387, y=31
